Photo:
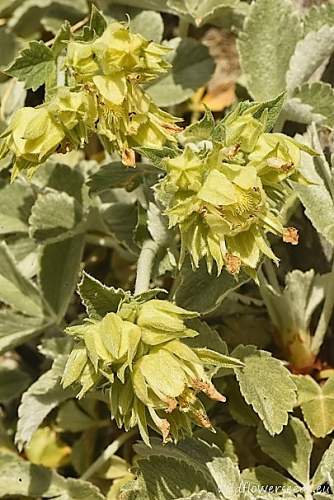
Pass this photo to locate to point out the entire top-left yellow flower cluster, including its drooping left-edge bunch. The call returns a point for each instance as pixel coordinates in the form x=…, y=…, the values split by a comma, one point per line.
x=103, y=96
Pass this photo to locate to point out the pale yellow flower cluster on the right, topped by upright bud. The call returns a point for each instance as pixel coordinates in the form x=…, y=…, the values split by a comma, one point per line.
x=223, y=195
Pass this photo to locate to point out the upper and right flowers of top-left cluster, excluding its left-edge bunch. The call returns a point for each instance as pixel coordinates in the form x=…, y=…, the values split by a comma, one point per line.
x=112, y=68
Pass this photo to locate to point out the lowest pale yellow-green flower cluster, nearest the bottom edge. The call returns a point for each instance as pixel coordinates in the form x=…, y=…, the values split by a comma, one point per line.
x=138, y=357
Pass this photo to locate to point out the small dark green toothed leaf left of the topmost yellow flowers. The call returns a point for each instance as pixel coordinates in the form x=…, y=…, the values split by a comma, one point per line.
x=34, y=65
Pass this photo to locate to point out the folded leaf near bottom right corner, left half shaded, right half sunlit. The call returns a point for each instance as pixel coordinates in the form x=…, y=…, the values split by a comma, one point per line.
x=291, y=449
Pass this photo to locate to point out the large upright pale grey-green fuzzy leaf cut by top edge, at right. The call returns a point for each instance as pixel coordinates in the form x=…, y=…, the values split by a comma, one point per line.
x=266, y=44
